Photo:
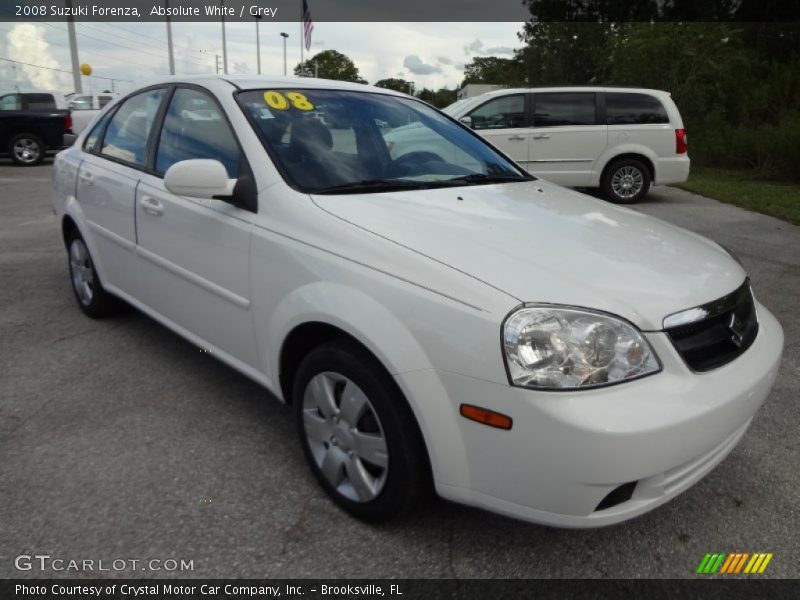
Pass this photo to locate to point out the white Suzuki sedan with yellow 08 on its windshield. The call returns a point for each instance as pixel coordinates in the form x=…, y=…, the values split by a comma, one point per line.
x=436, y=318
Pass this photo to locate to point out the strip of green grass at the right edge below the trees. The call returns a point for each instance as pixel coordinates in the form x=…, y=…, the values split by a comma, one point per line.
x=748, y=190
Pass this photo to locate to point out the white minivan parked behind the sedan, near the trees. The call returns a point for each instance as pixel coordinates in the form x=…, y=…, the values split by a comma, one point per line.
x=621, y=140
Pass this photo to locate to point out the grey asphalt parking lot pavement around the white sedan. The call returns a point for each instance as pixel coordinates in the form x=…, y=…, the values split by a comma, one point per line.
x=120, y=440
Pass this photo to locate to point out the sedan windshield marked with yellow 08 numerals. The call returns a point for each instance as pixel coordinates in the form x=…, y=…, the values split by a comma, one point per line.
x=329, y=141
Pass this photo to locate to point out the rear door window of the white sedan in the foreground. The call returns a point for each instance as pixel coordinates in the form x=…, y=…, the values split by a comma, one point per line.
x=127, y=133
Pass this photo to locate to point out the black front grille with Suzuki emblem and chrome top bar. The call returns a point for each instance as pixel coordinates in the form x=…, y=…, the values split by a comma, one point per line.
x=718, y=332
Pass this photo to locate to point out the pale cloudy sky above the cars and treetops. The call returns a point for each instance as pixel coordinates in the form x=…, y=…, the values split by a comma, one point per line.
x=429, y=54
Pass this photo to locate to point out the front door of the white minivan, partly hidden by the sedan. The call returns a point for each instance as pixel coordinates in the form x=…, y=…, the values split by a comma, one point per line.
x=503, y=121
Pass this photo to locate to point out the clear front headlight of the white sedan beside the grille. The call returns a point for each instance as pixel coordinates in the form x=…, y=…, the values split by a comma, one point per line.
x=548, y=347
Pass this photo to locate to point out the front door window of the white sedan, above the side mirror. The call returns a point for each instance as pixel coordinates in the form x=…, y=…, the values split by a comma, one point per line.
x=194, y=127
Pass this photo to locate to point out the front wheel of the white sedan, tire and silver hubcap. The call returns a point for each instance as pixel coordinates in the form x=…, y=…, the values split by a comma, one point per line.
x=358, y=434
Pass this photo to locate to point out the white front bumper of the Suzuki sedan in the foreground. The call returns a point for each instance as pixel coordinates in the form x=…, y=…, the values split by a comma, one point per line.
x=567, y=450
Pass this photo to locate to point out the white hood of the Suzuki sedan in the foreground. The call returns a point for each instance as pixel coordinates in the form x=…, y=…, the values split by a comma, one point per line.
x=540, y=242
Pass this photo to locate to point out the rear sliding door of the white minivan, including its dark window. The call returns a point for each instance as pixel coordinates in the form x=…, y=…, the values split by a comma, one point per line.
x=567, y=136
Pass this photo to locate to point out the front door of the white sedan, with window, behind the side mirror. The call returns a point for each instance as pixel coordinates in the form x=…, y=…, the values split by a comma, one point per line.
x=196, y=252
